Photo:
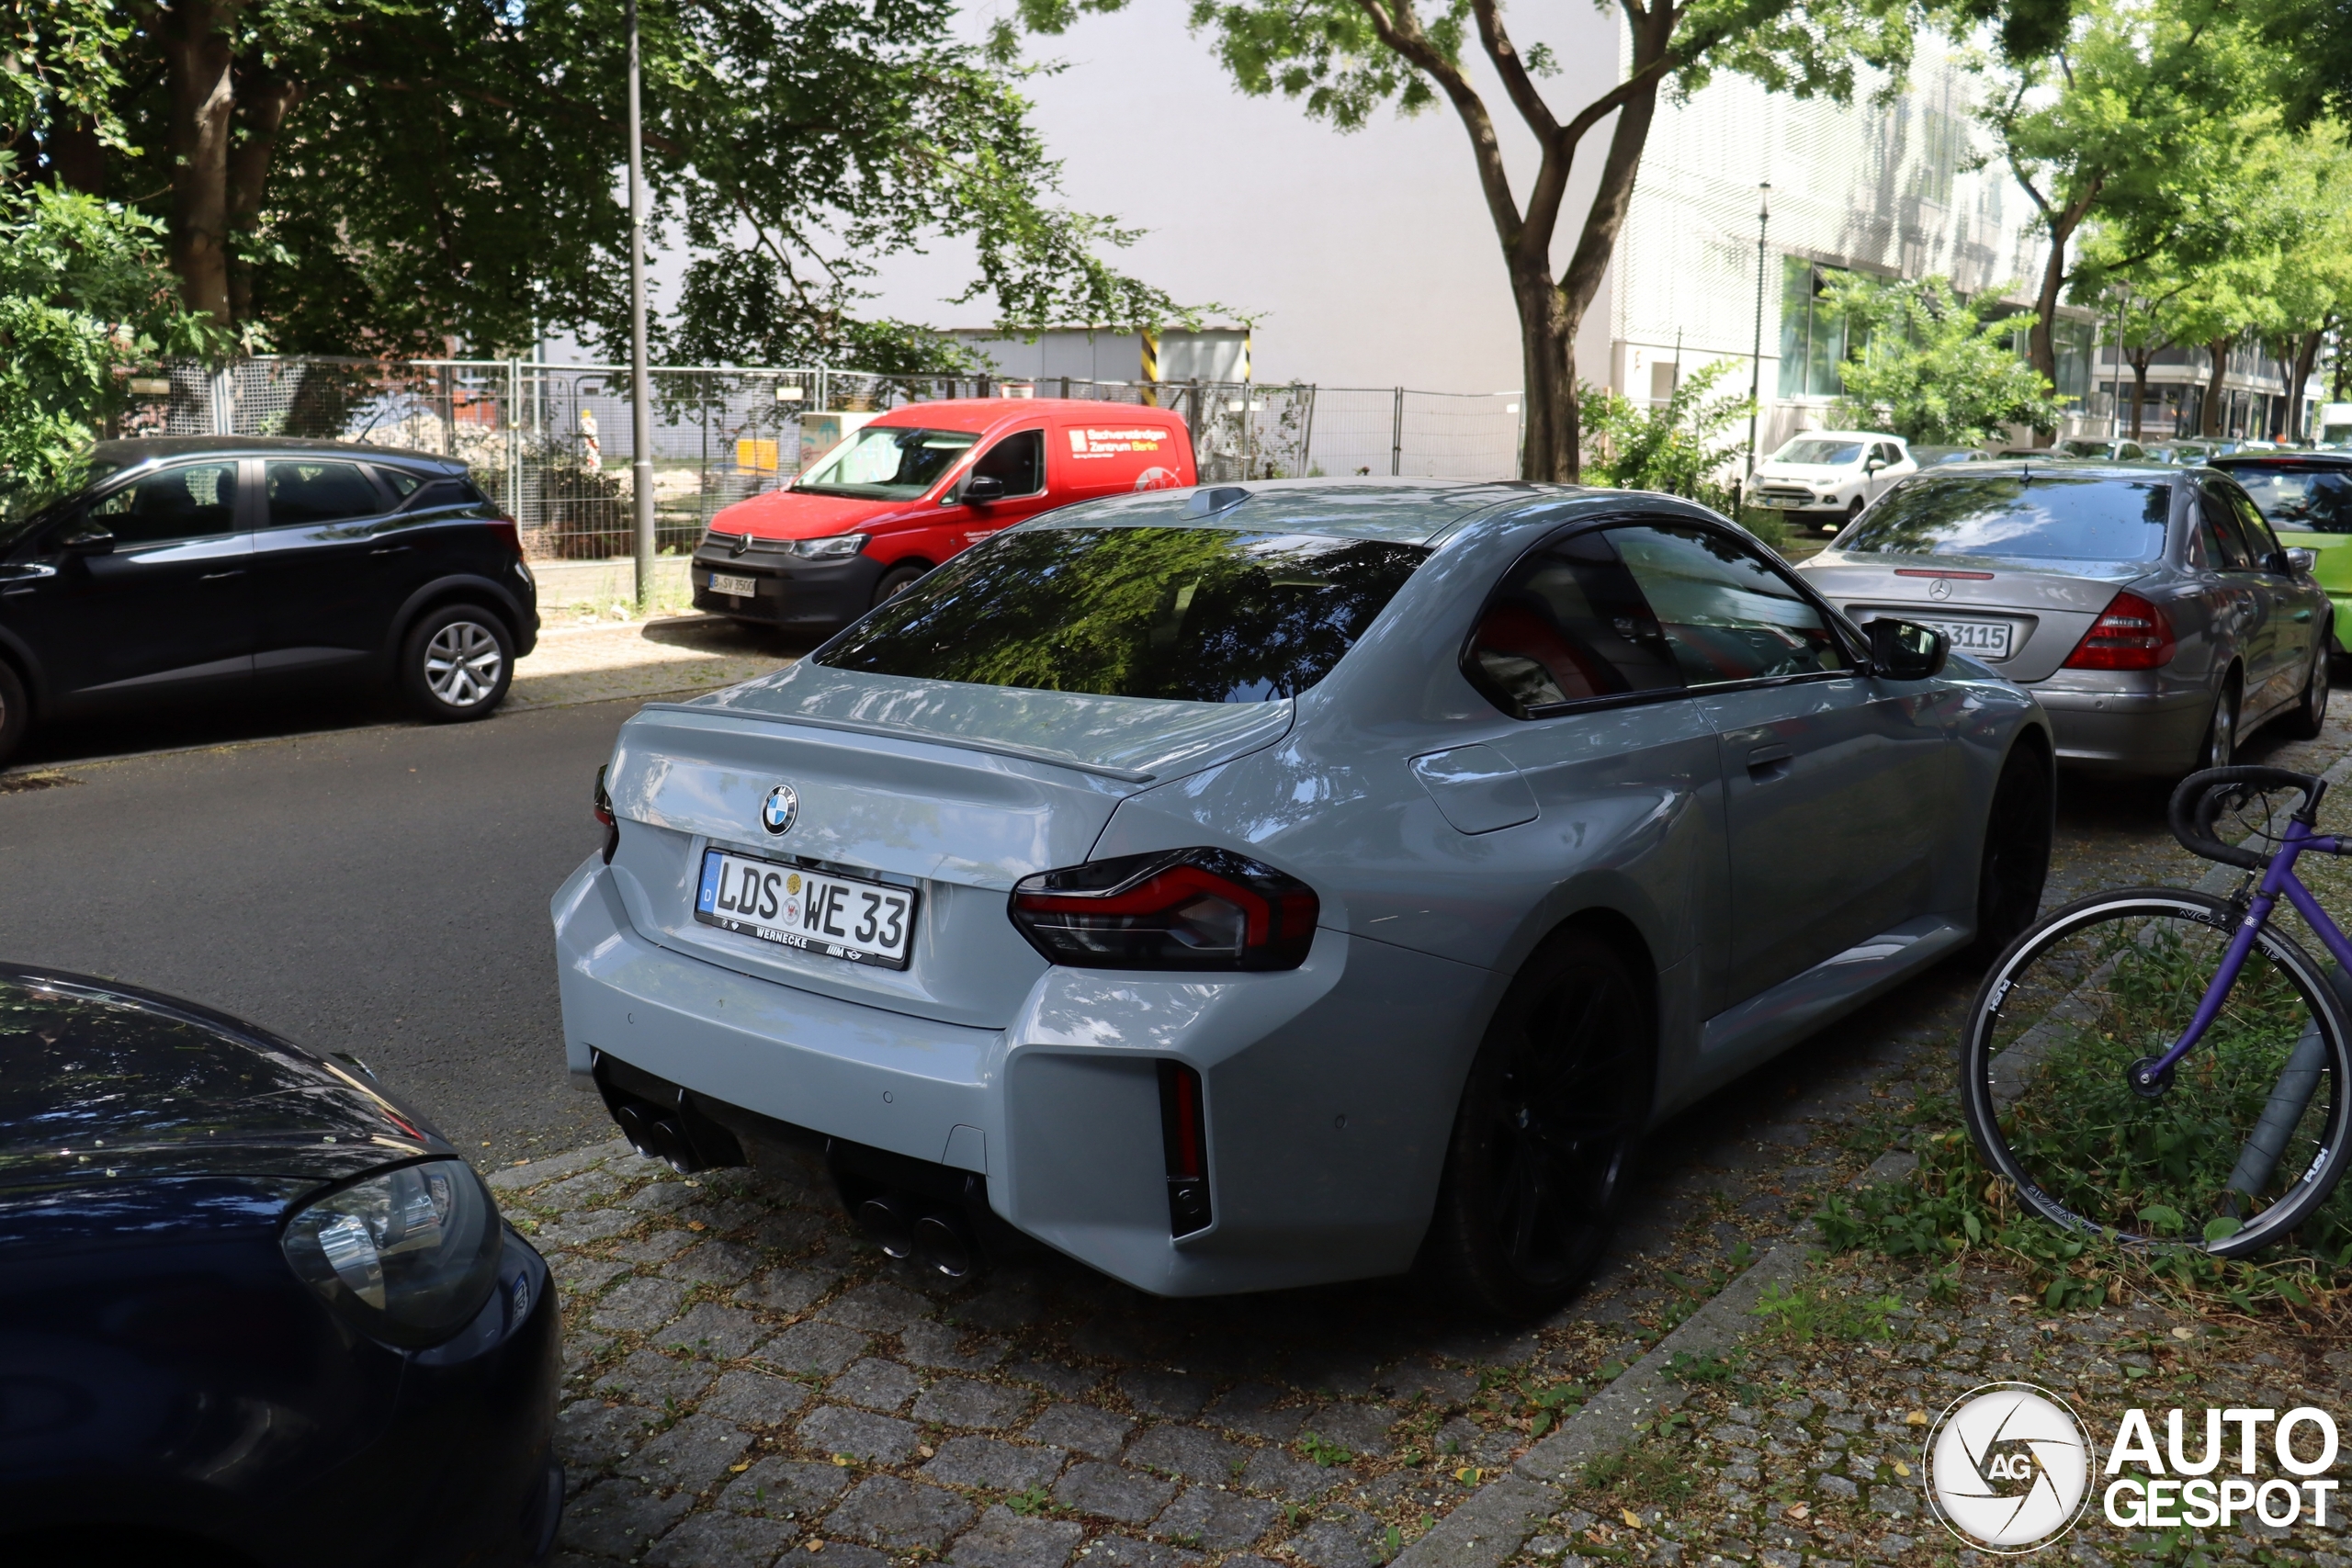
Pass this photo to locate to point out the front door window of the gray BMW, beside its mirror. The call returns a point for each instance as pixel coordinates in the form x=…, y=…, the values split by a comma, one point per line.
x=1728, y=615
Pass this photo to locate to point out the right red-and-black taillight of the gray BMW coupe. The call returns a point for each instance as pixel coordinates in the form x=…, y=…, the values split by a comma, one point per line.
x=1187, y=909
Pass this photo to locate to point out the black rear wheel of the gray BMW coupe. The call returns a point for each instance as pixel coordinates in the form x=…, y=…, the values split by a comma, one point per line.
x=1546, y=1132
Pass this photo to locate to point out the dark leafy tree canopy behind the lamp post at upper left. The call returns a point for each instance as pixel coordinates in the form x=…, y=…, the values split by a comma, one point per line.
x=399, y=175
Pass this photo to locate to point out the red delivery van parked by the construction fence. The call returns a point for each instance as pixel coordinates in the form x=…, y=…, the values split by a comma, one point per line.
x=916, y=485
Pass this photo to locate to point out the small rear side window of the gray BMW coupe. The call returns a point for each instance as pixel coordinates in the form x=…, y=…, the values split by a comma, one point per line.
x=1568, y=626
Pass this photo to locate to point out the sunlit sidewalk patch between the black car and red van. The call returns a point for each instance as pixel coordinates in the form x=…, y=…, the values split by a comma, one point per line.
x=643, y=659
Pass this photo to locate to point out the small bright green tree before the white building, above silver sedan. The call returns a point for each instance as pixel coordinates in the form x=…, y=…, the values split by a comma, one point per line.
x=1935, y=368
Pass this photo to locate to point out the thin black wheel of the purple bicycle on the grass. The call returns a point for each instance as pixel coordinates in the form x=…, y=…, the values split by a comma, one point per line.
x=2245, y=1139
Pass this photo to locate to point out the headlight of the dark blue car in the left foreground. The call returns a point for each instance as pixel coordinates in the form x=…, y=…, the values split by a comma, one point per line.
x=406, y=1257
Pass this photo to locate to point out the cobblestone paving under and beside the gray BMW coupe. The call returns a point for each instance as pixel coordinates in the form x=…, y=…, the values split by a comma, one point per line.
x=749, y=1381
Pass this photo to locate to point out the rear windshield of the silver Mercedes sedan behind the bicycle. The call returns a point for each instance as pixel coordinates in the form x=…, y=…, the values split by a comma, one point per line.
x=2019, y=516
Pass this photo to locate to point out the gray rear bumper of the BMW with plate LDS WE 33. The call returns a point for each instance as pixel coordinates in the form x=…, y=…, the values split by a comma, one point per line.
x=1330, y=1092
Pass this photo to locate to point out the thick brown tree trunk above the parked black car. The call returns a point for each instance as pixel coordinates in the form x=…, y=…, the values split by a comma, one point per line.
x=201, y=91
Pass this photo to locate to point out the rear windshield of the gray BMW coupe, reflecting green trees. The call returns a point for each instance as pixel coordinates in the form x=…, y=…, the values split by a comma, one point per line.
x=1189, y=615
